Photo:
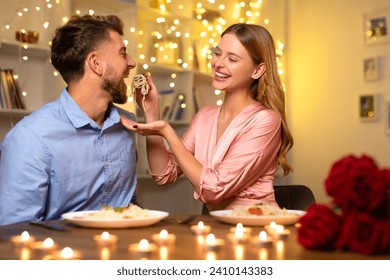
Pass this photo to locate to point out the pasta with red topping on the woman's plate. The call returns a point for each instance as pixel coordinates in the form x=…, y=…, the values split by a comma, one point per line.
x=260, y=210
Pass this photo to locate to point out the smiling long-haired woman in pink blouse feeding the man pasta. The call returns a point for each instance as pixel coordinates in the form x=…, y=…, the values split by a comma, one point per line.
x=229, y=153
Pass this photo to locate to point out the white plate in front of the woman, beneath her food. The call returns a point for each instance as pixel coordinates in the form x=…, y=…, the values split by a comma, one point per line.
x=227, y=217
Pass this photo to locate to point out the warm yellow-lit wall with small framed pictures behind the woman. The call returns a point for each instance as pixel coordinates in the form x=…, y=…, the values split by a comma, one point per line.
x=325, y=49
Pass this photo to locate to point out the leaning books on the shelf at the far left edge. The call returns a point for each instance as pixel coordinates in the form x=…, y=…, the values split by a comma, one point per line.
x=10, y=95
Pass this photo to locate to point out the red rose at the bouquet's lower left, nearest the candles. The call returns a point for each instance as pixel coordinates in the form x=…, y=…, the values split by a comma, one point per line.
x=320, y=227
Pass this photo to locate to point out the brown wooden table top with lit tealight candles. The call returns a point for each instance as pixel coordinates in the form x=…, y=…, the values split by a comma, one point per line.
x=187, y=246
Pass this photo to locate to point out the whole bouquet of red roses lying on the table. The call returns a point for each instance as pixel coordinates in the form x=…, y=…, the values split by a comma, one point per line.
x=359, y=218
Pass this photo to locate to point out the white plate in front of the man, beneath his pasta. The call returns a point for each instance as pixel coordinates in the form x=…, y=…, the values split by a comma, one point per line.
x=78, y=219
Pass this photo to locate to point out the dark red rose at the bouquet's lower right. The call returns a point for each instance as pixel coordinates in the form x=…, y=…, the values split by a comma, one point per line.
x=363, y=234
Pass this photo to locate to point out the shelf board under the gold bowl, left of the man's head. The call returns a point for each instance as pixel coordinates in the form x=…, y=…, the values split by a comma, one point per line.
x=14, y=48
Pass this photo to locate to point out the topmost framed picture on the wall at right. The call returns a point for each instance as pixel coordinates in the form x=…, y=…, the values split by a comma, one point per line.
x=377, y=27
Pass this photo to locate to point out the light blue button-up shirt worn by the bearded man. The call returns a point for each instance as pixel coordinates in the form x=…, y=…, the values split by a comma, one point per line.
x=58, y=160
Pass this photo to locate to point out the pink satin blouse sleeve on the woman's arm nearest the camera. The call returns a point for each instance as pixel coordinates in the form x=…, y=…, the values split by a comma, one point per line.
x=250, y=154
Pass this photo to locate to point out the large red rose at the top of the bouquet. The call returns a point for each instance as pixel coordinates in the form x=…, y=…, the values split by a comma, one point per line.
x=356, y=183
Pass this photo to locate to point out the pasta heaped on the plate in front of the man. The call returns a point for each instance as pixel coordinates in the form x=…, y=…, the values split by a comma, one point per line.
x=115, y=213
